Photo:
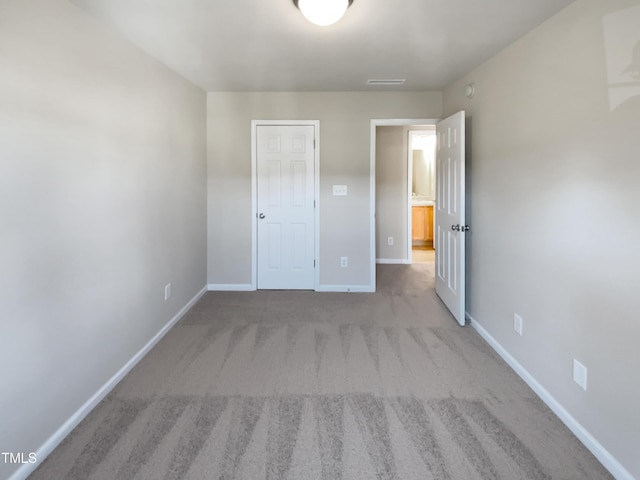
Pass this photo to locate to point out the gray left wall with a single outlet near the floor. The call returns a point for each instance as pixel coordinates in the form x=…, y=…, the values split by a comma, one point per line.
x=102, y=202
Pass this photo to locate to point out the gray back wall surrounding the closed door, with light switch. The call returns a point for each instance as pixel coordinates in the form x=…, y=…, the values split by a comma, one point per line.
x=345, y=126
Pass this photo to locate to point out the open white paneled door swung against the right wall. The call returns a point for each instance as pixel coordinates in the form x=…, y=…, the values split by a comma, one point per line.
x=450, y=219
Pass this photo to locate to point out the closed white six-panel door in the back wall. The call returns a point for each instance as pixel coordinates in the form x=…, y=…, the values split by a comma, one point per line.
x=285, y=207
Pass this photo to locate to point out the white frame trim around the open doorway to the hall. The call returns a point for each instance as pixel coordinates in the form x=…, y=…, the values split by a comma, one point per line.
x=385, y=122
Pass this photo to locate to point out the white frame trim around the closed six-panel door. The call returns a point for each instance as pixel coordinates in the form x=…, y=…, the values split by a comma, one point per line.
x=254, y=193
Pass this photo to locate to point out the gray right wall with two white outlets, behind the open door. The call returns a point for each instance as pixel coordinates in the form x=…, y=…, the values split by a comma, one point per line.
x=555, y=211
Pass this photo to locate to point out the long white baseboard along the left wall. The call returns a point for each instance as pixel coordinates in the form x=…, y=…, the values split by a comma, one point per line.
x=52, y=442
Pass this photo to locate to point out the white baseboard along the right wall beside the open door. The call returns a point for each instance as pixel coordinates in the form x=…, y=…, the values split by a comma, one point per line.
x=602, y=454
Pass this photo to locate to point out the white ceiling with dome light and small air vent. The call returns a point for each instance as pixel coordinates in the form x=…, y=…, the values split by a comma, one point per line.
x=267, y=45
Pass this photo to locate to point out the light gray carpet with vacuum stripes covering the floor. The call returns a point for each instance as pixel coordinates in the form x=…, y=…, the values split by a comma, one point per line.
x=303, y=385
